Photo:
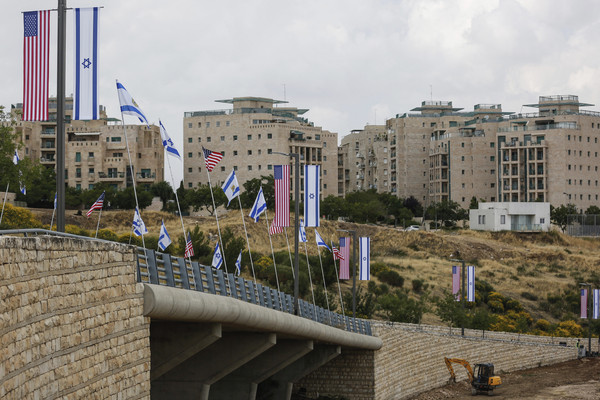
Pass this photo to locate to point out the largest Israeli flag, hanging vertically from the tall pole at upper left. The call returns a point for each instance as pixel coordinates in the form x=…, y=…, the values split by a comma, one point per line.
x=85, y=96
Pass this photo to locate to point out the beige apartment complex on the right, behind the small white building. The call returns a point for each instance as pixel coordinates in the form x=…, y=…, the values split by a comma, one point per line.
x=444, y=153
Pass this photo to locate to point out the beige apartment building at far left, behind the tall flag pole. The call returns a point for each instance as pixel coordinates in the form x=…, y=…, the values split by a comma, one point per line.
x=95, y=150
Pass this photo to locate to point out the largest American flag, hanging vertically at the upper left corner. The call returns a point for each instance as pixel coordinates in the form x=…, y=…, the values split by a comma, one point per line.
x=36, y=62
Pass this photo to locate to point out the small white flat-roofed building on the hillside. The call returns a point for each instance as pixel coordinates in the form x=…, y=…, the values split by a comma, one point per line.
x=517, y=216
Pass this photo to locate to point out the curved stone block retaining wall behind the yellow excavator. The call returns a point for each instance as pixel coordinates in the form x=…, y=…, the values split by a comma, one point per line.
x=411, y=360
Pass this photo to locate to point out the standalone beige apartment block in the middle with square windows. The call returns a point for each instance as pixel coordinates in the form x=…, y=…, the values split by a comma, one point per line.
x=250, y=135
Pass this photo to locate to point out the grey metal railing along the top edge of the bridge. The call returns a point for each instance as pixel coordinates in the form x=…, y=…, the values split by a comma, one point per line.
x=167, y=270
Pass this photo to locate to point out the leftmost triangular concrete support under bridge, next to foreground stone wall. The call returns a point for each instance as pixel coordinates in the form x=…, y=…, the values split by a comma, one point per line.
x=173, y=342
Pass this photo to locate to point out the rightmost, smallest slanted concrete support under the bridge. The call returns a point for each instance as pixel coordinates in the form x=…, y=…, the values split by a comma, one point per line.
x=280, y=385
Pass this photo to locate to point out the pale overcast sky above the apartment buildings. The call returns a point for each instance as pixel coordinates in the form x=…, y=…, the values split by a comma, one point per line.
x=349, y=62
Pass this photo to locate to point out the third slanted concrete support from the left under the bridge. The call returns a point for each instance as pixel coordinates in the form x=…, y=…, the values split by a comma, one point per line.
x=243, y=382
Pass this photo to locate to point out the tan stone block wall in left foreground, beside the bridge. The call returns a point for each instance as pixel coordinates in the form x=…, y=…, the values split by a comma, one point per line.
x=71, y=320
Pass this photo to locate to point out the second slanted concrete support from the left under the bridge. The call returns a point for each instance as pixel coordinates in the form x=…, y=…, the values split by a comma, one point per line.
x=193, y=378
